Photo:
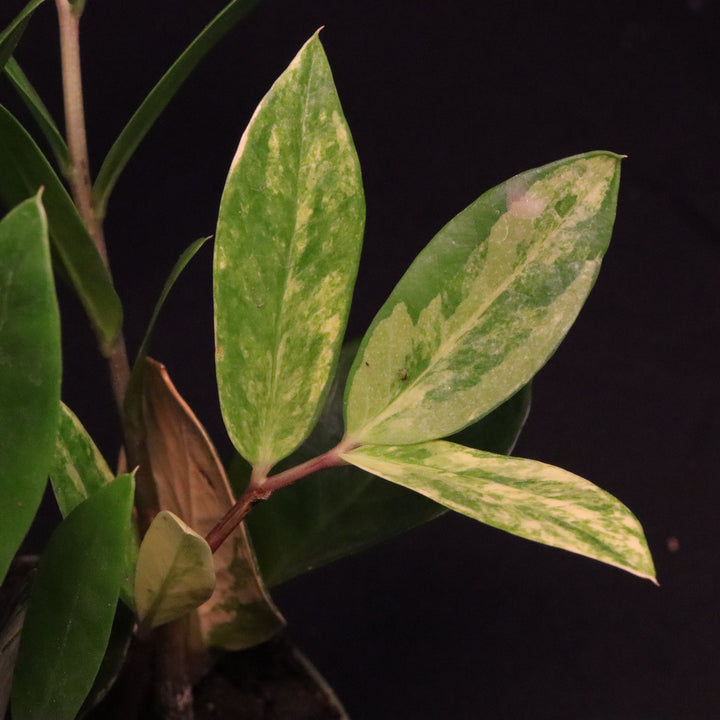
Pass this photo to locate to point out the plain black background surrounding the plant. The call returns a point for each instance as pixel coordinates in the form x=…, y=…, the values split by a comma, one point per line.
x=445, y=100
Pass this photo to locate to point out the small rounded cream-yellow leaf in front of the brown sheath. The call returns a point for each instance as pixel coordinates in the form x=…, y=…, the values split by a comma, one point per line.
x=175, y=572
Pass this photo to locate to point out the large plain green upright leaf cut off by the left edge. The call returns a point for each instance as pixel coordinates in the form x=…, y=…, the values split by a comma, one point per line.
x=30, y=370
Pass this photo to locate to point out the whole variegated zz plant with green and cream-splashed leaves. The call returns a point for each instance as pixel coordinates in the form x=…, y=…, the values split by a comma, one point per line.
x=449, y=355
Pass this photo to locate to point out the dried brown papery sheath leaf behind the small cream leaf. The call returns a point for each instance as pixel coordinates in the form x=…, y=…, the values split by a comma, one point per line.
x=191, y=483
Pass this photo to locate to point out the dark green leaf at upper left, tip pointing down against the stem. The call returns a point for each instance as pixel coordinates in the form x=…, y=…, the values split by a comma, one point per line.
x=24, y=171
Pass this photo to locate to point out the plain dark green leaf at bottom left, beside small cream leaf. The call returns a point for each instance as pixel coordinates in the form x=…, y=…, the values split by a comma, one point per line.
x=72, y=606
